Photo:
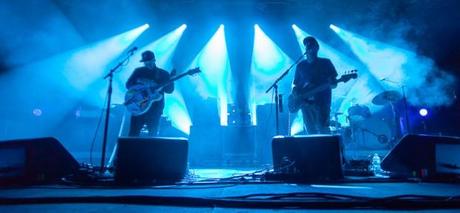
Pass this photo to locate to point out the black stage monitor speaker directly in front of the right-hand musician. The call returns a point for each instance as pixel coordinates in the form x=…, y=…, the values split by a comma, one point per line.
x=307, y=158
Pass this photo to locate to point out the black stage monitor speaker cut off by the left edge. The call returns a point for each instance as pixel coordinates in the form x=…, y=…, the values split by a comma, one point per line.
x=31, y=161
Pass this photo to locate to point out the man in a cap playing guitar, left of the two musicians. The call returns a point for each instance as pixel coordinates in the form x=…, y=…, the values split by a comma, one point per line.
x=149, y=73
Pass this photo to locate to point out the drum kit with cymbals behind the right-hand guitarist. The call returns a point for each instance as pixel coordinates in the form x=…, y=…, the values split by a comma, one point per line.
x=367, y=131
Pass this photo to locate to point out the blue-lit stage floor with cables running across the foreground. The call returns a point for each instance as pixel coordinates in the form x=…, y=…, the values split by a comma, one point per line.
x=242, y=190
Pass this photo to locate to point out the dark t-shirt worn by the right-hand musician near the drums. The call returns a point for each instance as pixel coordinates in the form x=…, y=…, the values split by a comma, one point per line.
x=319, y=72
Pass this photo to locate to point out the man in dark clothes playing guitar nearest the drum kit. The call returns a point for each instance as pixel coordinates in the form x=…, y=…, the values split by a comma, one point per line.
x=310, y=72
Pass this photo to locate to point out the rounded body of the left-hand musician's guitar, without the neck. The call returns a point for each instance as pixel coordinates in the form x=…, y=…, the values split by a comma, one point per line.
x=140, y=98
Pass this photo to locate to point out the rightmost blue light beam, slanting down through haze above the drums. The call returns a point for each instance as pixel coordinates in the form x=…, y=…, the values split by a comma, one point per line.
x=400, y=67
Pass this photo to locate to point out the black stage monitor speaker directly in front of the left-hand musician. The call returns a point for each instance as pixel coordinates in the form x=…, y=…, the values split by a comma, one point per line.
x=147, y=160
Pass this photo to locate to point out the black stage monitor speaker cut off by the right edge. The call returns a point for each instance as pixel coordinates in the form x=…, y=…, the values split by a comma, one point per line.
x=424, y=156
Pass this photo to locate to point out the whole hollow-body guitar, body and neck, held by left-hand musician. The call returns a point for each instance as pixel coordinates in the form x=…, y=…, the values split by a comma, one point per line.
x=140, y=97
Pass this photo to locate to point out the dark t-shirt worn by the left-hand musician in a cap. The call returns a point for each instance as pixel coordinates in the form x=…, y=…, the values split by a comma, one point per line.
x=158, y=75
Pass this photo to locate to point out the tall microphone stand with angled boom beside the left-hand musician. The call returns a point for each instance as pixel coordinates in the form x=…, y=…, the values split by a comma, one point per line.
x=107, y=112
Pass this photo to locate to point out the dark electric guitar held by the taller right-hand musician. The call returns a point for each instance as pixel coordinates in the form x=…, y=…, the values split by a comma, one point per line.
x=305, y=95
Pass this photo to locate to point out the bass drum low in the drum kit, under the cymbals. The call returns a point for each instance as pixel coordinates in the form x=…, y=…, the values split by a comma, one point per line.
x=371, y=134
